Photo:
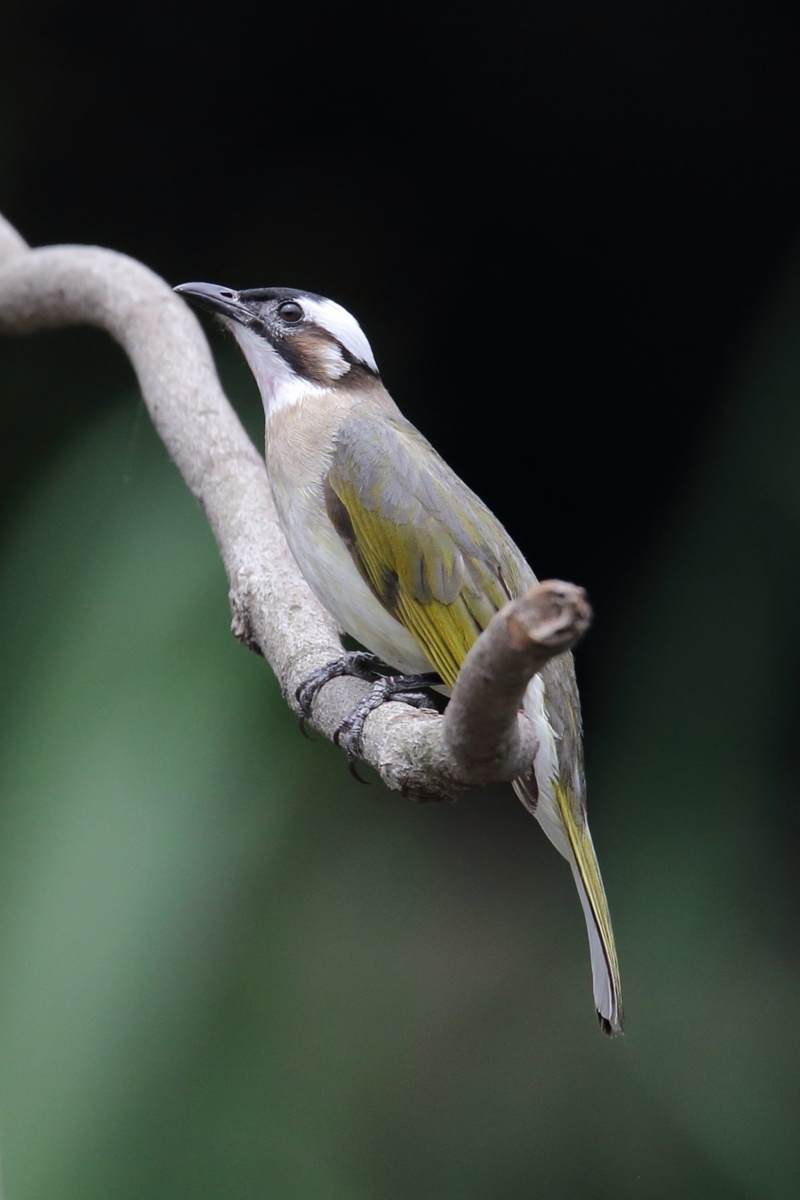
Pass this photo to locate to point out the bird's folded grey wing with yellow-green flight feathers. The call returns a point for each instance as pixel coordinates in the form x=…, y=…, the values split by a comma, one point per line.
x=426, y=545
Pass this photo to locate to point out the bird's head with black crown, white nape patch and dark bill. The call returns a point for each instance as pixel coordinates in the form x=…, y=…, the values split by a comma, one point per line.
x=294, y=341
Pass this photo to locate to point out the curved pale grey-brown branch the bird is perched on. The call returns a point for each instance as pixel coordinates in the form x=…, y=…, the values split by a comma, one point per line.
x=482, y=736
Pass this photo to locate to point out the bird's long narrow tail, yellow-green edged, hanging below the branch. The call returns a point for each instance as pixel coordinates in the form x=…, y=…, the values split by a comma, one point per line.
x=563, y=820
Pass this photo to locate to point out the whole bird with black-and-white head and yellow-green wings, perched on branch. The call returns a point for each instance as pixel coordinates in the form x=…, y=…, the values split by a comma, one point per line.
x=405, y=556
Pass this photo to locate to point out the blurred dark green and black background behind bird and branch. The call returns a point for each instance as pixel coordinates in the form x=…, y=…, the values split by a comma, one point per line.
x=226, y=969
